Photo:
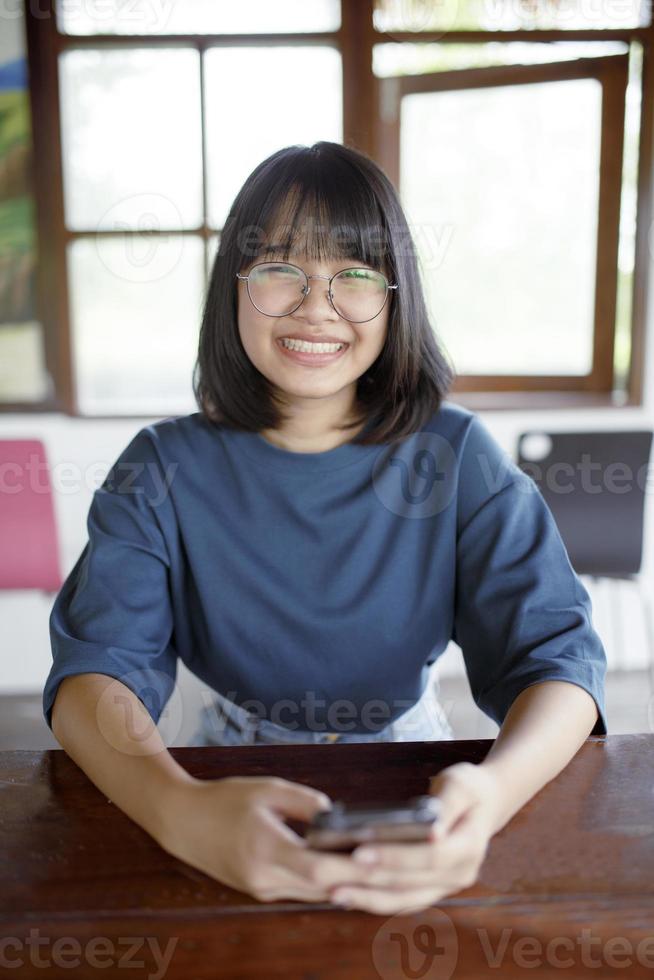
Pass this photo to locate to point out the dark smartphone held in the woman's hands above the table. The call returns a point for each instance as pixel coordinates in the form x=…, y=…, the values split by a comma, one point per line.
x=347, y=825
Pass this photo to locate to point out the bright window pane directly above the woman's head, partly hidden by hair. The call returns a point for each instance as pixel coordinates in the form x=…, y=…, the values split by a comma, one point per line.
x=247, y=117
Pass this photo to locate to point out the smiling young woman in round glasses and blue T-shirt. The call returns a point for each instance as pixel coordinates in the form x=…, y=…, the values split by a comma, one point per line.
x=308, y=543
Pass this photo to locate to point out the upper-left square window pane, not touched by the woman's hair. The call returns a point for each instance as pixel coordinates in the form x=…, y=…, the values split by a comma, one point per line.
x=132, y=143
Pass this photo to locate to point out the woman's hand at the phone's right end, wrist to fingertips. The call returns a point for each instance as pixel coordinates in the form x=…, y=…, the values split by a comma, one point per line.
x=407, y=877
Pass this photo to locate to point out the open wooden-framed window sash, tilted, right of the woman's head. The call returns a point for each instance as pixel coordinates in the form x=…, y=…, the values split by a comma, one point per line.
x=521, y=200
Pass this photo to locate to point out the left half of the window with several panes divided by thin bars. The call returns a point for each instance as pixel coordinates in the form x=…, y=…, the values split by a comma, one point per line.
x=158, y=127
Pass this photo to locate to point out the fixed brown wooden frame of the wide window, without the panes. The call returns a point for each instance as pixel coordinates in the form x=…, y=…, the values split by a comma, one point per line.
x=355, y=39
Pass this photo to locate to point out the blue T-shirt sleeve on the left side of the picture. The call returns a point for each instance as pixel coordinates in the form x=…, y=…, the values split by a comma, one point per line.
x=113, y=614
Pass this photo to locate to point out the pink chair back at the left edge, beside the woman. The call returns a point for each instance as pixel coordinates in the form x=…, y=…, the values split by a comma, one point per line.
x=29, y=551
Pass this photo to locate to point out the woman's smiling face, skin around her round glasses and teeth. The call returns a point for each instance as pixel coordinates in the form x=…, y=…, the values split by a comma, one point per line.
x=299, y=375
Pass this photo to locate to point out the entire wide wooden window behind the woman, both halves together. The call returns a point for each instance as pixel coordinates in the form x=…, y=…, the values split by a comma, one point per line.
x=530, y=208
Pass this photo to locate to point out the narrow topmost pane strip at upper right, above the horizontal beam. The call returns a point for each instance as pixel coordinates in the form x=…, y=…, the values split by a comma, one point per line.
x=422, y=15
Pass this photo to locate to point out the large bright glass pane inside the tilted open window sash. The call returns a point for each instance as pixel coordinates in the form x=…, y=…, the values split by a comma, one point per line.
x=508, y=249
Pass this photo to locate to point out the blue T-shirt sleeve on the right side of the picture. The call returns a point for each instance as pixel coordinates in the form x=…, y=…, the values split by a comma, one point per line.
x=522, y=615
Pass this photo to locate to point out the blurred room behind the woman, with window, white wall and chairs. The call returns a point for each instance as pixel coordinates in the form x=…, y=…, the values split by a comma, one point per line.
x=519, y=135
